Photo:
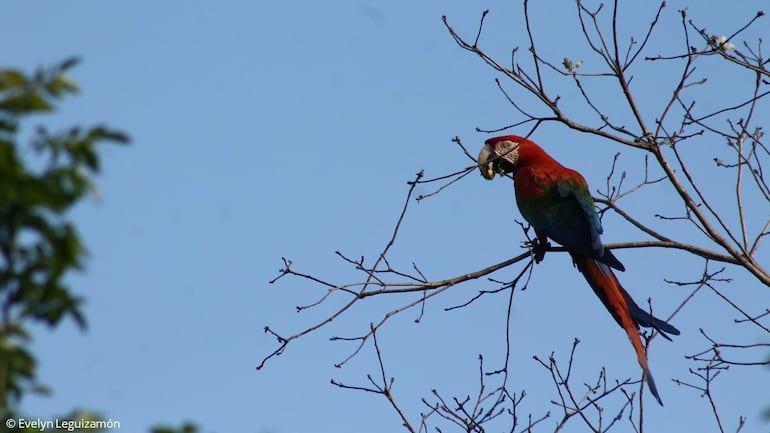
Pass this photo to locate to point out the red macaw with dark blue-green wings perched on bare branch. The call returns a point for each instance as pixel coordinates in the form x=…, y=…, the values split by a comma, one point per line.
x=555, y=201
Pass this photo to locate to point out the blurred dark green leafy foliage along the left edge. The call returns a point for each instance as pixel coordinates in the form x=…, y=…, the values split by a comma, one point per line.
x=39, y=183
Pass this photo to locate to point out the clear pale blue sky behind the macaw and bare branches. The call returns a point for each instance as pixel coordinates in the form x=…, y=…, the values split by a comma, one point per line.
x=264, y=130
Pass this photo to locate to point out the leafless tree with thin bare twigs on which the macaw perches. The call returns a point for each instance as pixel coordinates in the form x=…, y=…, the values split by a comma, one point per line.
x=674, y=144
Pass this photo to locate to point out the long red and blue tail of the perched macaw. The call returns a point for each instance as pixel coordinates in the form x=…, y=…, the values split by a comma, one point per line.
x=625, y=311
